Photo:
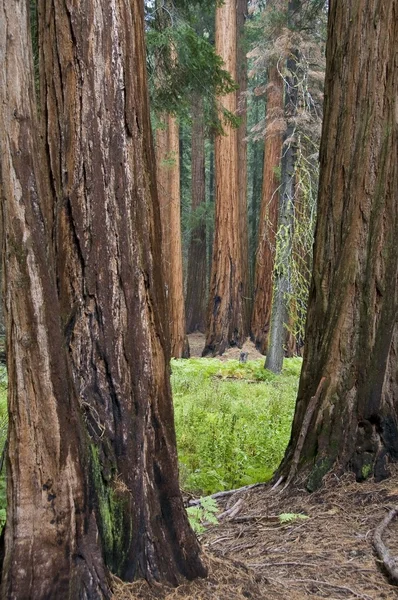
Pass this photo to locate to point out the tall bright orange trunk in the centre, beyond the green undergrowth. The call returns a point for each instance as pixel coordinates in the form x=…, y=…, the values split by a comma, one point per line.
x=225, y=312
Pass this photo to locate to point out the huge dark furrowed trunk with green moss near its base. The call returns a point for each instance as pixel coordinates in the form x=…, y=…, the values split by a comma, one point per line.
x=110, y=280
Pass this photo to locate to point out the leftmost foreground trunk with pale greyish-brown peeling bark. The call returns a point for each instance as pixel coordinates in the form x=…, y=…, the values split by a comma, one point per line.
x=51, y=539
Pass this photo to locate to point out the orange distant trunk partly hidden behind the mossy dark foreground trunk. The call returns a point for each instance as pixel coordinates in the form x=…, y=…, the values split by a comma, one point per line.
x=168, y=179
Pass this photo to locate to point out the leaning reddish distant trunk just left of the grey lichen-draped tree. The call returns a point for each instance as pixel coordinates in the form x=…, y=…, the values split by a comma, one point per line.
x=265, y=255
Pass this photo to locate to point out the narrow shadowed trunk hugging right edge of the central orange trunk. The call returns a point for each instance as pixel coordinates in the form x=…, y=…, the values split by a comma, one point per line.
x=241, y=79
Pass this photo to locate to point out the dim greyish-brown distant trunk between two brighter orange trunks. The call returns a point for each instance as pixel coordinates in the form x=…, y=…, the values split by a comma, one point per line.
x=195, y=305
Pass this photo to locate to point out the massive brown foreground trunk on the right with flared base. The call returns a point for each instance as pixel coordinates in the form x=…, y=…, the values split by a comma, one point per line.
x=351, y=337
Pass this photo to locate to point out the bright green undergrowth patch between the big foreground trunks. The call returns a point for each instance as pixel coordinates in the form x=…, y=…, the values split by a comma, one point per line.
x=233, y=421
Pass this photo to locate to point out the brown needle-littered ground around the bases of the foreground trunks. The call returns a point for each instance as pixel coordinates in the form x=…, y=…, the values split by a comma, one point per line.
x=253, y=553
